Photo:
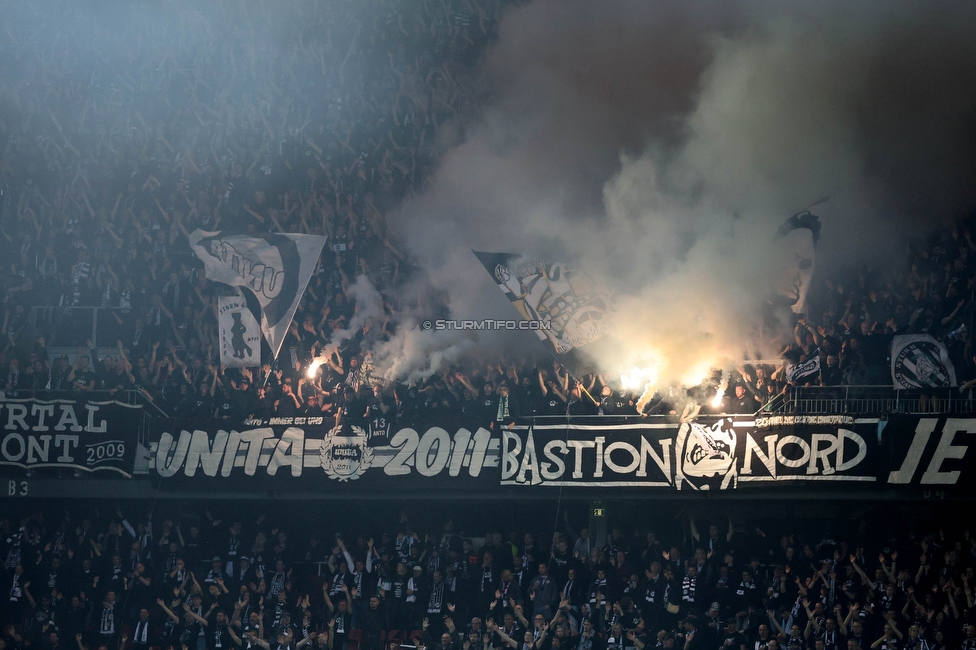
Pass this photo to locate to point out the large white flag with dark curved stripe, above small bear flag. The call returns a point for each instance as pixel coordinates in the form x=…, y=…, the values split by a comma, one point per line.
x=276, y=268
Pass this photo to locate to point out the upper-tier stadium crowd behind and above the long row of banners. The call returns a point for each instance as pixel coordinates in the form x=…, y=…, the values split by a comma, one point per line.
x=108, y=164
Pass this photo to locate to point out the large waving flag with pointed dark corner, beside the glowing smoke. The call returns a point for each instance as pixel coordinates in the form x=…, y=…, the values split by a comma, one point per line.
x=576, y=309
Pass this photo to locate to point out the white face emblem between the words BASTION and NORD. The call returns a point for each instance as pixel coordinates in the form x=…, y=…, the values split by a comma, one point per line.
x=706, y=456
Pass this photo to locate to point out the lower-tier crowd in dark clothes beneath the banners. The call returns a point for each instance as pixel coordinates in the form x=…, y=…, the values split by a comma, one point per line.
x=206, y=581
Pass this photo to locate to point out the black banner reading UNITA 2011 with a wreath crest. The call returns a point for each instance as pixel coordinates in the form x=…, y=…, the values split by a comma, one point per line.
x=311, y=448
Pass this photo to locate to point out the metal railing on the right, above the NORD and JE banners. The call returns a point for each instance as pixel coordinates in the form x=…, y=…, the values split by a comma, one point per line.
x=872, y=400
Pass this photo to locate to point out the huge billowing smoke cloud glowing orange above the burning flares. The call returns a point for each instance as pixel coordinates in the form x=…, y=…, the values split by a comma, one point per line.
x=660, y=147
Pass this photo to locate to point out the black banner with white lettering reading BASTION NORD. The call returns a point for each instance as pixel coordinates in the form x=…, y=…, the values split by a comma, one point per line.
x=709, y=454
